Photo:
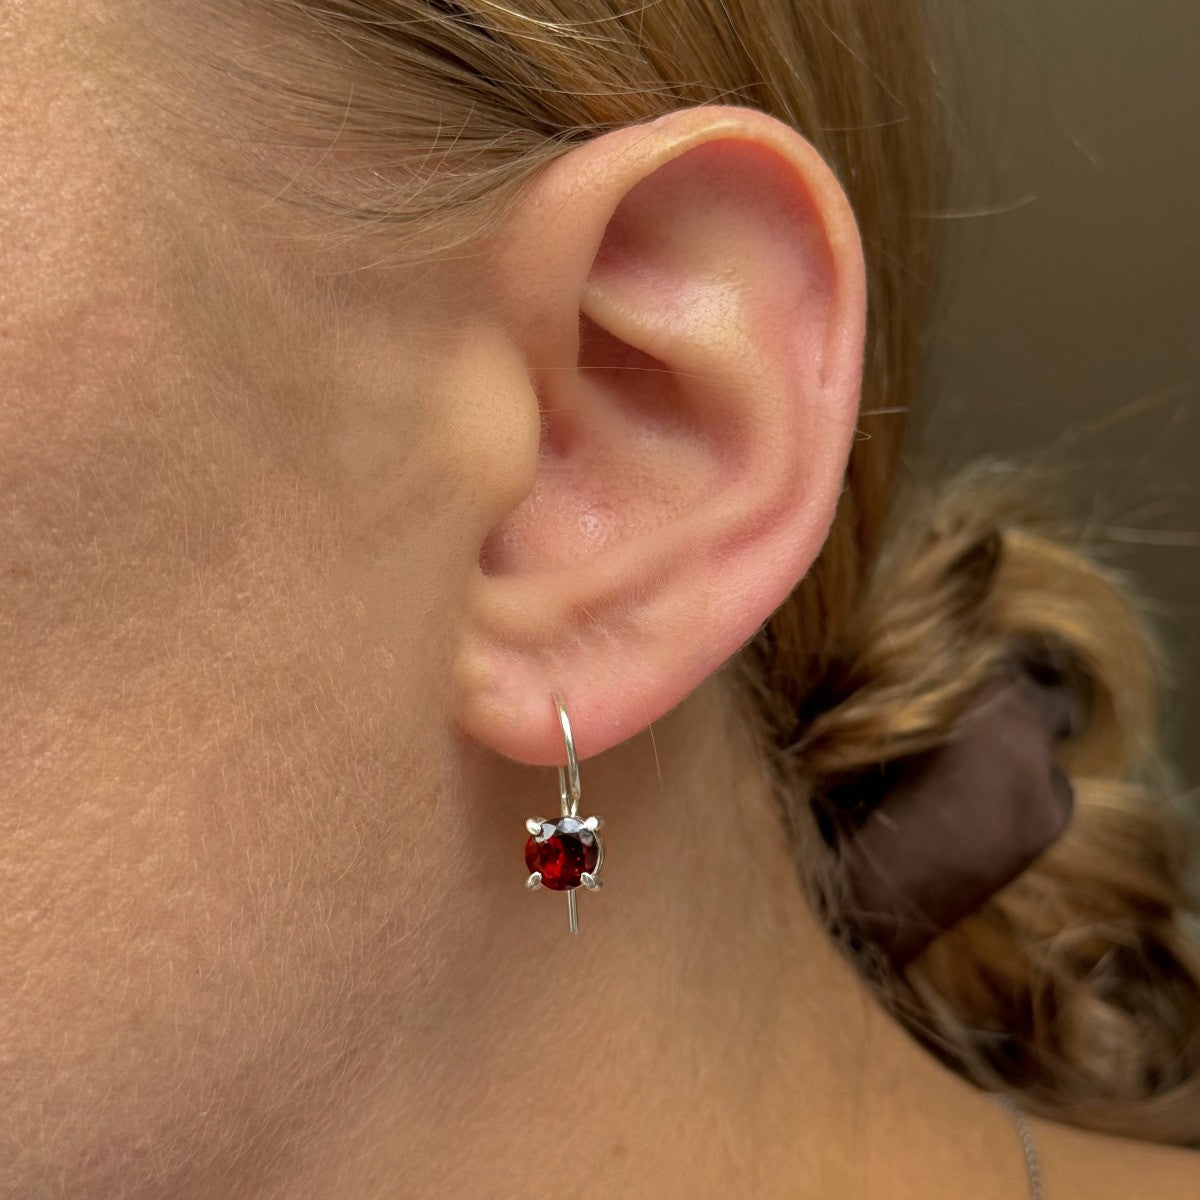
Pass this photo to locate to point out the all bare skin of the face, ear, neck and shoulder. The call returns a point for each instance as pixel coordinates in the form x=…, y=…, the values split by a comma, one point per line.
x=273, y=731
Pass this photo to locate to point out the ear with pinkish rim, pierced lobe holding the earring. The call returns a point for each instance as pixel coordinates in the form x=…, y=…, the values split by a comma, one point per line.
x=689, y=301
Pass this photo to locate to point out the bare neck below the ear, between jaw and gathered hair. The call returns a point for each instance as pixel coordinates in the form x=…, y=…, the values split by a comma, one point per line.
x=699, y=1037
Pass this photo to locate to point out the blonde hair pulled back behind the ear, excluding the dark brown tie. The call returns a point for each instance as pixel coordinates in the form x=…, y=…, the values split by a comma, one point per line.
x=1076, y=988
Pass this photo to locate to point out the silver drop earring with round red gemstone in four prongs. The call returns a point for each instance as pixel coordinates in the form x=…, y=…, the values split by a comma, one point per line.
x=567, y=853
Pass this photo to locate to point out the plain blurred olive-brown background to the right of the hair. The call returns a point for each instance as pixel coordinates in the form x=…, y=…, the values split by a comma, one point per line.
x=1070, y=319
